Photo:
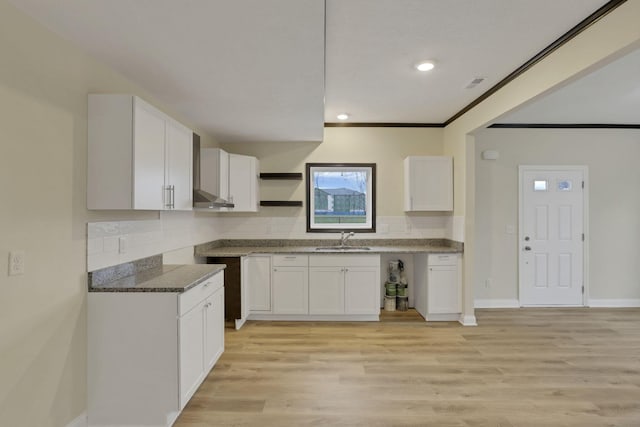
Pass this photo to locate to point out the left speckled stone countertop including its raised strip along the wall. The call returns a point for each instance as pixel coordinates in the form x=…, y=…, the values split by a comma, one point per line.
x=151, y=277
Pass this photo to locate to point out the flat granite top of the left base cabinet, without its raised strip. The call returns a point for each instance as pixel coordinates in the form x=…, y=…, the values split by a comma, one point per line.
x=162, y=278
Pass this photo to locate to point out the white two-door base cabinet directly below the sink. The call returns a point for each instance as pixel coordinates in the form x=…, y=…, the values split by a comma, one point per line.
x=344, y=284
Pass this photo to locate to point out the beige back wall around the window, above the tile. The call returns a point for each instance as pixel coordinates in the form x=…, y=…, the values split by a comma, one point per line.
x=387, y=147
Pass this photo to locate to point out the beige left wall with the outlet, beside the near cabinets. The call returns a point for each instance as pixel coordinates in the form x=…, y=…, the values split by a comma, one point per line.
x=44, y=83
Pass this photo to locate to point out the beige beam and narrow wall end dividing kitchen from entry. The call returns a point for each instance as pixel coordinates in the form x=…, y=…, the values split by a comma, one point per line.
x=612, y=36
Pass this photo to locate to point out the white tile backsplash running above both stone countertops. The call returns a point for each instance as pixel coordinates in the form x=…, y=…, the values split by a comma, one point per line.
x=116, y=242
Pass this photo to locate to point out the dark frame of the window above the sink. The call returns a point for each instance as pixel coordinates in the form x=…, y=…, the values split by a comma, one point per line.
x=370, y=205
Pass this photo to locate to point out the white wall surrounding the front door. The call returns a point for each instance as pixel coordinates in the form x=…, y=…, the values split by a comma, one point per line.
x=614, y=197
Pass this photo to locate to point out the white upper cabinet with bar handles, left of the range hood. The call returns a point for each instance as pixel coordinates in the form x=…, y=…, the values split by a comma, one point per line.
x=139, y=158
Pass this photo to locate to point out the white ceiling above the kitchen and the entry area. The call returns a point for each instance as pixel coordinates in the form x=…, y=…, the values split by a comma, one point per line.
x=277, y=70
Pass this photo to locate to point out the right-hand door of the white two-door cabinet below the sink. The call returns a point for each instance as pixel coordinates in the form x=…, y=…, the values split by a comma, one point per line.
x=362, y=290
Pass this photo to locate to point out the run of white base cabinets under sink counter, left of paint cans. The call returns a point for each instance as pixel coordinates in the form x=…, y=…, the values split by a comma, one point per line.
x=316, y=287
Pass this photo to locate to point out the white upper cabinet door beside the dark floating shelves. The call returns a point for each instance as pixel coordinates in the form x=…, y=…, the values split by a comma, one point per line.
x=243, y=183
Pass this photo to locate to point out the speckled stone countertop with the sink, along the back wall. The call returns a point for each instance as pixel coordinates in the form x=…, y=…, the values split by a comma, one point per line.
x=234, y=248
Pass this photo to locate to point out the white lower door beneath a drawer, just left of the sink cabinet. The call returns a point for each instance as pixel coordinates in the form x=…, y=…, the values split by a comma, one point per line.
x=290, y=290
